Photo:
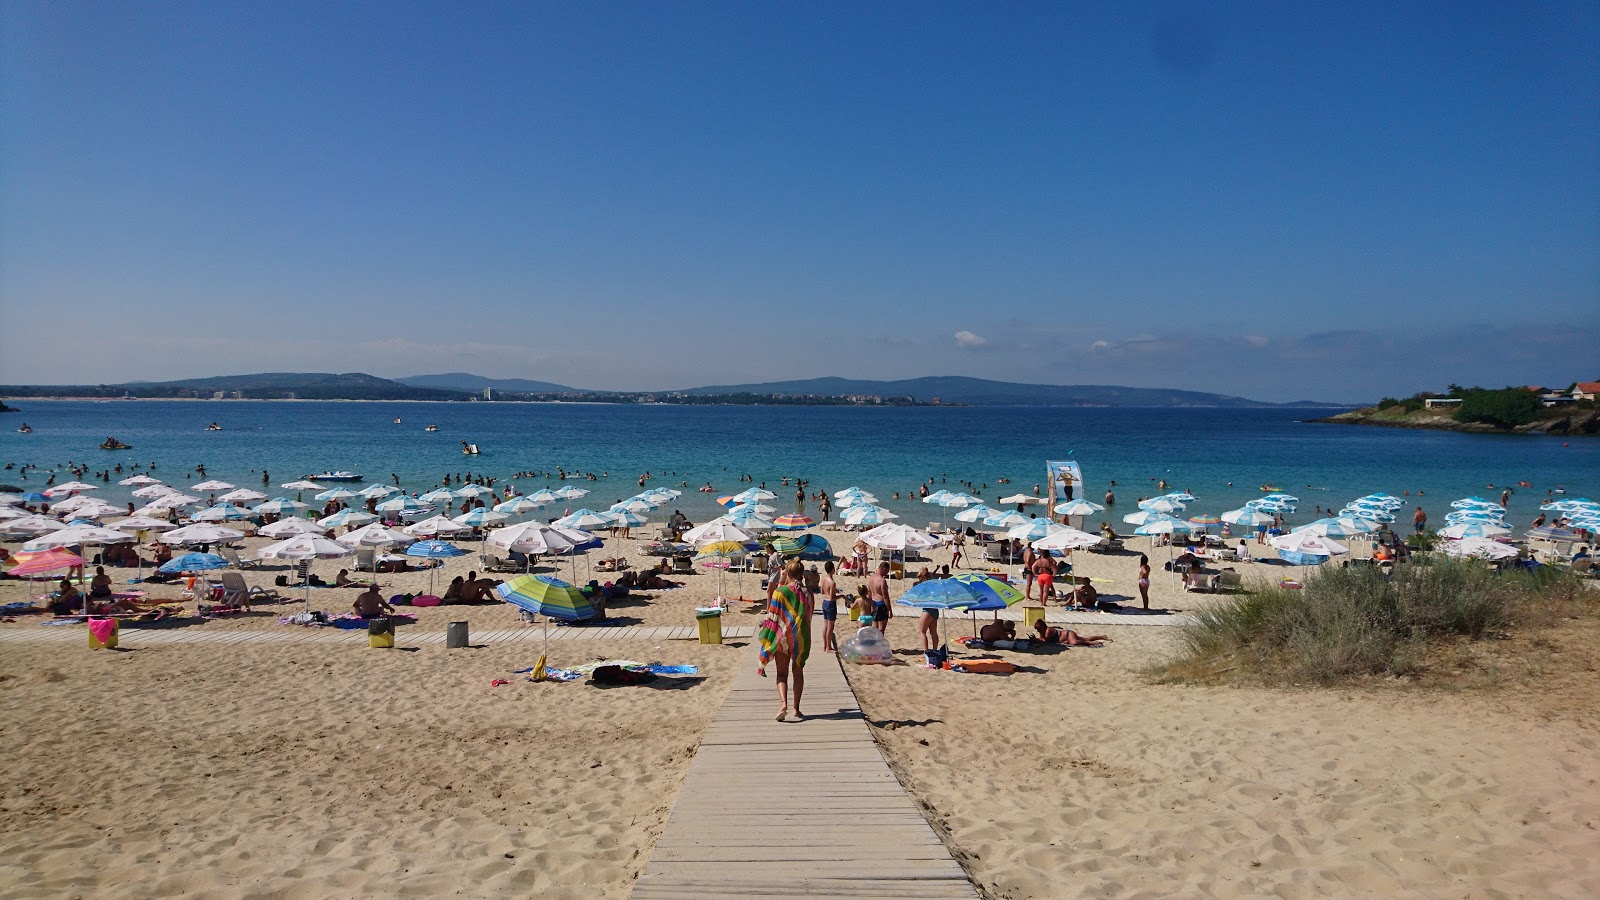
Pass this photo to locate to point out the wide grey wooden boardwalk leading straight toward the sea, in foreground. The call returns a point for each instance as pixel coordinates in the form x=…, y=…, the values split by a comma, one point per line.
x=796, y=810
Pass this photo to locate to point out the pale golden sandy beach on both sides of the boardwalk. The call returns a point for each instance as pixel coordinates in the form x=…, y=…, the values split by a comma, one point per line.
x=250, y=771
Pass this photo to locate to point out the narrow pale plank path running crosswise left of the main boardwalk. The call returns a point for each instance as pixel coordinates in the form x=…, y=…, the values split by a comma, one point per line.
x=135, y=637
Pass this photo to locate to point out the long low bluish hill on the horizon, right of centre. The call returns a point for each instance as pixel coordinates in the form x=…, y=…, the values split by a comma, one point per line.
x=985, y=393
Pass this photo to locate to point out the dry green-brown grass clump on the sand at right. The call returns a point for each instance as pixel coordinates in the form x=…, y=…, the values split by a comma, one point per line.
x=1356, y=622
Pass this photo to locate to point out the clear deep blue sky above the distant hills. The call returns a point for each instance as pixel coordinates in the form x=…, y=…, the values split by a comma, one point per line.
x=1279, y=201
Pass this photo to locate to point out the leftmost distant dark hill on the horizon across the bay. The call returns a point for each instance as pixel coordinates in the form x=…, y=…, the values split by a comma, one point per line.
x=263, y=387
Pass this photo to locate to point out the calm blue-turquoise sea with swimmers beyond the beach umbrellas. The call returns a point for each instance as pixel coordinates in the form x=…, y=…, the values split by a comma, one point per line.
x=1220, y=456
